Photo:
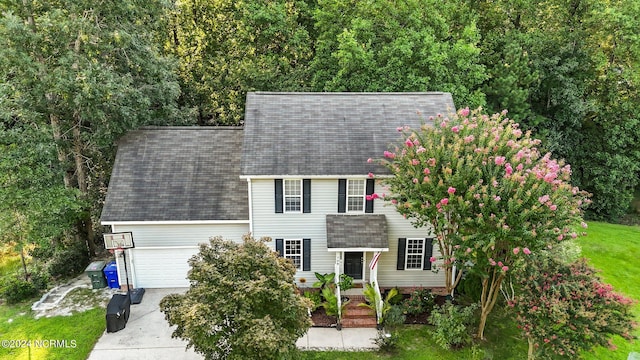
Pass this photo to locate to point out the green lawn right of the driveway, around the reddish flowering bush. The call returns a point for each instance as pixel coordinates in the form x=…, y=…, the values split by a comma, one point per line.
x=614, y=249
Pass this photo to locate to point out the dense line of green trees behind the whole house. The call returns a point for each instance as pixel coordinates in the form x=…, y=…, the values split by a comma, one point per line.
x=76, y=75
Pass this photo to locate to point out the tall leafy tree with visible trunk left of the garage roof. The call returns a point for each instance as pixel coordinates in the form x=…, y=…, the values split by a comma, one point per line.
x=86, y=72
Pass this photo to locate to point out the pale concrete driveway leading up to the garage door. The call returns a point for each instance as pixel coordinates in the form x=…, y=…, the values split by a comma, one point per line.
x=147, y=335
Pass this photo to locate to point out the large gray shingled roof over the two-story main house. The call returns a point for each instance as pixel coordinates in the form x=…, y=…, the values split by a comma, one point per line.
x=329, y=133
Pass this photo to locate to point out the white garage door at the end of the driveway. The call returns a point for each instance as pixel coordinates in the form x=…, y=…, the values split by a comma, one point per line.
x=162, y=268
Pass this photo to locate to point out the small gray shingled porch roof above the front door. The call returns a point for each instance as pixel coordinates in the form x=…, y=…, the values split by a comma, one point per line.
x=357, y=231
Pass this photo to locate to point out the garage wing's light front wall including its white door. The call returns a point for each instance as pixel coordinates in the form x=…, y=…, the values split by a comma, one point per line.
x=161, y=253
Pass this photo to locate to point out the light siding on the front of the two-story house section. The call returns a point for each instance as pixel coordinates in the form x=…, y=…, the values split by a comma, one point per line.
x=324, y=200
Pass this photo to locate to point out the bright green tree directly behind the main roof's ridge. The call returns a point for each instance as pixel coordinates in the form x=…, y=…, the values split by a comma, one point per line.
x=398, y=46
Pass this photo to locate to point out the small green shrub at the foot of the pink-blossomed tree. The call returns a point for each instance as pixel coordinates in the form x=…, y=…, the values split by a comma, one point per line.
x=452, y=324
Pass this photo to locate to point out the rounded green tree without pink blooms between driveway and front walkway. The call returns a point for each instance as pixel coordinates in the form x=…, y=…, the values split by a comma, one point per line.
x=242, y=303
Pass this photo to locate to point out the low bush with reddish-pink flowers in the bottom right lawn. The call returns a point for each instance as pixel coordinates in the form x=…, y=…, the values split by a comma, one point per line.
x=562, y=309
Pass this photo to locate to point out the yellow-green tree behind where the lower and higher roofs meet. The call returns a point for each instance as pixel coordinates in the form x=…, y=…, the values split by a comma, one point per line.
x=229, y=47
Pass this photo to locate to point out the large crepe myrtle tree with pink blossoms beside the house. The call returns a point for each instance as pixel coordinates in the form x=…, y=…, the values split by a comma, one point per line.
x=490, y=195
